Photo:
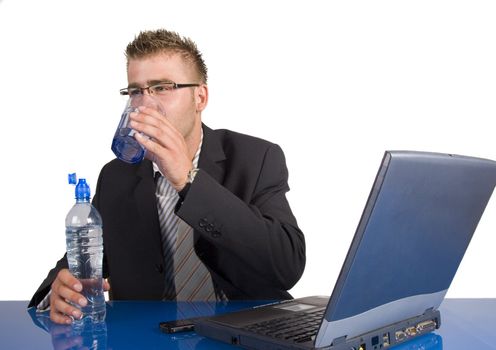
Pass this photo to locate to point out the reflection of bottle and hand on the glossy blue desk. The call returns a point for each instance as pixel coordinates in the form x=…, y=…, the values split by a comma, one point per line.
x=91, y=336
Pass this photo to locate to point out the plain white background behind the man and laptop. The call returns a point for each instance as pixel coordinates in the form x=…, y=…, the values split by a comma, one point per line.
x=335, y=83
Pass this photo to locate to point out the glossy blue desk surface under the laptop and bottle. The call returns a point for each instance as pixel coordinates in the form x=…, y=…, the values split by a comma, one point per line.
x=465, y=324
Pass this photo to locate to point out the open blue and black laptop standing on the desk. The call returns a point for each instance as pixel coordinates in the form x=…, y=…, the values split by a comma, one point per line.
x=416, y=226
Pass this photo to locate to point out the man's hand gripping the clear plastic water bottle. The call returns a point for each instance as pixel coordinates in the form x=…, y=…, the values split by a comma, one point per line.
x=67, y=288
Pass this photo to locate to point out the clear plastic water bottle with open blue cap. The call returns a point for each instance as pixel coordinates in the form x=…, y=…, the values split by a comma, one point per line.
x=85, y=251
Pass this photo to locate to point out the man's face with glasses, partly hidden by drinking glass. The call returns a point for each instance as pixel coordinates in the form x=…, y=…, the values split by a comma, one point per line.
x=182, y=107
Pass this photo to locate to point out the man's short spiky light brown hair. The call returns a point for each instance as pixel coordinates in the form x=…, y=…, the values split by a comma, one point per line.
x=149, y=43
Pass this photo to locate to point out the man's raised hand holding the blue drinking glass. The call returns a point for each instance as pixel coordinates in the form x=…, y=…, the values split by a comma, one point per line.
x=166, y=146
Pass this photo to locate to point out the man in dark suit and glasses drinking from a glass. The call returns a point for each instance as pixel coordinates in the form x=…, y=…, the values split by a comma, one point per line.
x=228, y=187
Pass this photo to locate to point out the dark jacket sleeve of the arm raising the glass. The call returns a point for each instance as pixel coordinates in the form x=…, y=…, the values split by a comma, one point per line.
x=249, y=240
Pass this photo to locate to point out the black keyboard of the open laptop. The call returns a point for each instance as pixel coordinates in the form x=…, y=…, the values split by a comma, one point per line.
x=300, y=327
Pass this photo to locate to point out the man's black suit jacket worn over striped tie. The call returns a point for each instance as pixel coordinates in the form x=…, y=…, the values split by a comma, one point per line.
x=244, y=229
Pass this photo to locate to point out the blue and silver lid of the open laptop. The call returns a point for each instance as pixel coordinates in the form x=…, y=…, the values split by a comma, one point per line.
x=418, y=221
